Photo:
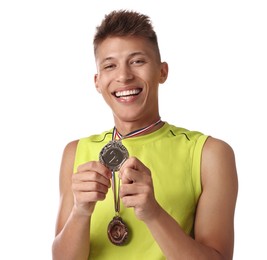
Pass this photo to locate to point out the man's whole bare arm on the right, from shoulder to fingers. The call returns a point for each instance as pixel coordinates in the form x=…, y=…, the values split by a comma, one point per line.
x=214, y=230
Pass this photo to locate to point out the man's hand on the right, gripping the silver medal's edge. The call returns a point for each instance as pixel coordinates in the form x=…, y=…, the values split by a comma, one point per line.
x=137, y=189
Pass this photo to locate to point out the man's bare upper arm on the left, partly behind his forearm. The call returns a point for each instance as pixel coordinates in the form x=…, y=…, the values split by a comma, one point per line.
x=65, y=183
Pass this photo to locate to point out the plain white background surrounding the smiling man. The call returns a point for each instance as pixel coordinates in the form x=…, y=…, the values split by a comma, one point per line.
x=217, y=56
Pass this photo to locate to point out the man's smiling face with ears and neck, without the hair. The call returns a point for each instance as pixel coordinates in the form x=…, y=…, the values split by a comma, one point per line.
x=129, y=73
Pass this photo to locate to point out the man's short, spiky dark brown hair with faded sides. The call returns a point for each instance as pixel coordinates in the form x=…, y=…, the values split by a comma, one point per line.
x=125, y=23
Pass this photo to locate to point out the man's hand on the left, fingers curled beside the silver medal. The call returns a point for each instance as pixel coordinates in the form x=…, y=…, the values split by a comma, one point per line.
x=90, y=184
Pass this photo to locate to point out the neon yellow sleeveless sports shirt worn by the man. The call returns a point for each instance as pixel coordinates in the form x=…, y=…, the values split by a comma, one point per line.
x=173, y=156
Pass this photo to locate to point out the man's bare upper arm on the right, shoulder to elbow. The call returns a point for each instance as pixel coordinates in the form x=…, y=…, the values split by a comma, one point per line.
x=214, y=225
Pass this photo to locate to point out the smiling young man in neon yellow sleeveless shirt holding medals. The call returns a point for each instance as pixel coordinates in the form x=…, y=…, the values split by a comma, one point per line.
x=145, y=189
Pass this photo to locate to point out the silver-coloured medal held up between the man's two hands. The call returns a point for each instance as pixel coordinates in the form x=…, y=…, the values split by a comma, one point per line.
x=113, y=155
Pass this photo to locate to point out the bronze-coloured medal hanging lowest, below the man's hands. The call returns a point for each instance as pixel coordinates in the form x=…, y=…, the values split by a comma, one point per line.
x=117, y=231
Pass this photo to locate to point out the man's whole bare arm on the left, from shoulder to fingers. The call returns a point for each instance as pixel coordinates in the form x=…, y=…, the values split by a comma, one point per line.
x=78, y=194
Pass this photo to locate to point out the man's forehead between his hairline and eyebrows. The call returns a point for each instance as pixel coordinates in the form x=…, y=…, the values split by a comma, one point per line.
x=121, y=47
